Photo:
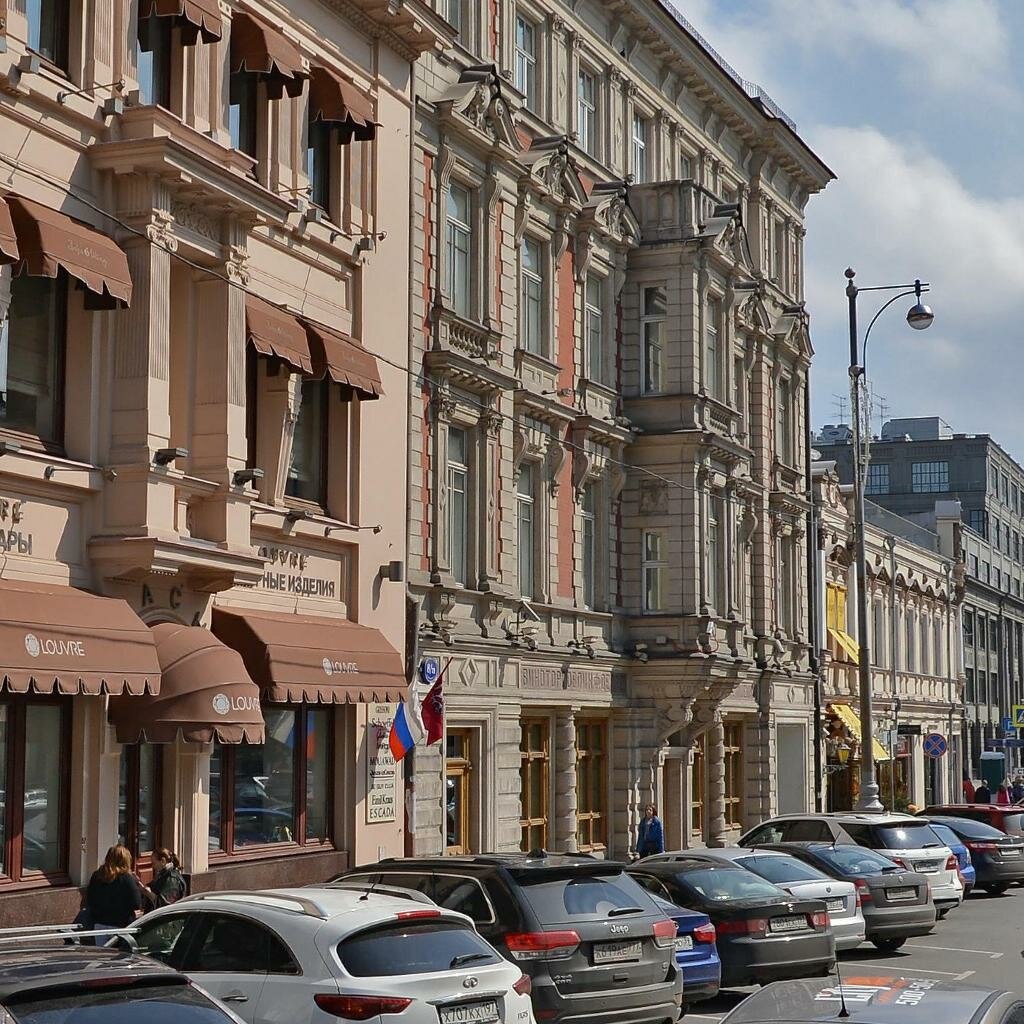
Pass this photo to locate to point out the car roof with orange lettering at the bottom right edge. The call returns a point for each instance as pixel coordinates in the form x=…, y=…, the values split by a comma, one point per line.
x=870, y=1000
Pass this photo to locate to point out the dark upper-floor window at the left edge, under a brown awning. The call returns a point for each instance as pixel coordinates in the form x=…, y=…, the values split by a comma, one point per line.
x=32, y=357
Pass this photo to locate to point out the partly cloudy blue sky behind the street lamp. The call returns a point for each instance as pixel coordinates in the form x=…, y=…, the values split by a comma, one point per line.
x=918, y=107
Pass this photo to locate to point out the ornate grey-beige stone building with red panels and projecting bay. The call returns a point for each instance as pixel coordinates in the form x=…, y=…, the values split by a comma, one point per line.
x=608, y=478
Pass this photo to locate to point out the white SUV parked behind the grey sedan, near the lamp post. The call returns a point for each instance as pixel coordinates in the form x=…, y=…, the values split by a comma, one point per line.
x=907, y=841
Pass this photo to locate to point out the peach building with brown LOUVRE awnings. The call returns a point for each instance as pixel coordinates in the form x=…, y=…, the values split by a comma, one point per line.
x=201, y=374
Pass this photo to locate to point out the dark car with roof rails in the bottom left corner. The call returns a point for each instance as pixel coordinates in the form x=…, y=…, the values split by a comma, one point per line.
x=100, y=987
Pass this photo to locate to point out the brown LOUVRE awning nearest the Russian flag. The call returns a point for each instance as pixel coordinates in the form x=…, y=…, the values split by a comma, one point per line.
x=313, y=659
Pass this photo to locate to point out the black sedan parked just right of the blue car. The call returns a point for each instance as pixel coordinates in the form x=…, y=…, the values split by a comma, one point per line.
x=763, y=933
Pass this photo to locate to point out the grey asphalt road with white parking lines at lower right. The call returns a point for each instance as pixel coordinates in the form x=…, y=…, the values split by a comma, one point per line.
x=980, y=944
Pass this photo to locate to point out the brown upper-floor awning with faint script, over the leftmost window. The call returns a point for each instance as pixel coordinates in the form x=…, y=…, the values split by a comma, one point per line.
x=49, y=240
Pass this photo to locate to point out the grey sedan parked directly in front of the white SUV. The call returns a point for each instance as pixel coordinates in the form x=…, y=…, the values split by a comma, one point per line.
x=897, y=905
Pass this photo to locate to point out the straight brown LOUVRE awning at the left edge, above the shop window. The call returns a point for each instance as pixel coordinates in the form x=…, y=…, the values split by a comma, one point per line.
x=58, y=639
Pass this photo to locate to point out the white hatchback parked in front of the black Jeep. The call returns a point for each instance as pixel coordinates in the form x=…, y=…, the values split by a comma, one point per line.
x=316, y=956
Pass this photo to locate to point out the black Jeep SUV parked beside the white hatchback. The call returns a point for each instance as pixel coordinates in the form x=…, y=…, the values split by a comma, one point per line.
x=594, y=945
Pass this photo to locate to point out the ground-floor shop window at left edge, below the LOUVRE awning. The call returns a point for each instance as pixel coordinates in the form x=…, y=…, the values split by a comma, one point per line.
x=34, y=784
